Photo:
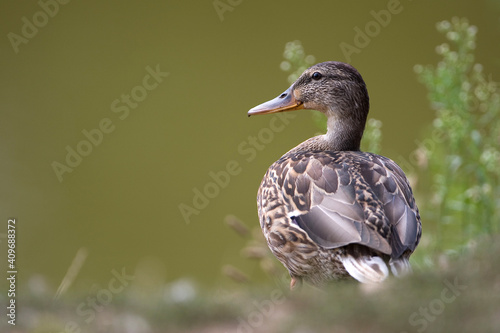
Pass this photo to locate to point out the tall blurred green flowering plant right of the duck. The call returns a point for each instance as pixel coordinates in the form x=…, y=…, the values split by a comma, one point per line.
x=458, y=178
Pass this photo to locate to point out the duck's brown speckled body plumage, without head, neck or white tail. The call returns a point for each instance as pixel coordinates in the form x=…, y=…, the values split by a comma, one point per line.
x=332, y=199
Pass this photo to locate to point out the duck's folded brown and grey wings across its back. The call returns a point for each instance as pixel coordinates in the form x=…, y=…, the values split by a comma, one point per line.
x=341, y=198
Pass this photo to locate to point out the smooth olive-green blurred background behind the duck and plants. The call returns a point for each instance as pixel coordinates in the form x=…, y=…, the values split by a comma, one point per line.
x=122, y=202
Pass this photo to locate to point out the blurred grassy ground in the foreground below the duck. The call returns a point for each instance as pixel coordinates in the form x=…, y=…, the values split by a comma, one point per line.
x=461, y=294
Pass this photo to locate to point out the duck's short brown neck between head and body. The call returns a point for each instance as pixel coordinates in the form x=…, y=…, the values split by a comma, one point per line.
x=344, y=134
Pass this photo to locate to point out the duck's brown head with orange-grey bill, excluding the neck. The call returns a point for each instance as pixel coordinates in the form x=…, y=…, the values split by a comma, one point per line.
x=333, y=88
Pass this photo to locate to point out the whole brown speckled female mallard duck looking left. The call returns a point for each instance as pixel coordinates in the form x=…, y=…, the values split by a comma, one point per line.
x=328, y=210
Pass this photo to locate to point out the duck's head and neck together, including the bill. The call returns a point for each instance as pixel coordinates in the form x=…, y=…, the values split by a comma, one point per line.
x=335, y=89
